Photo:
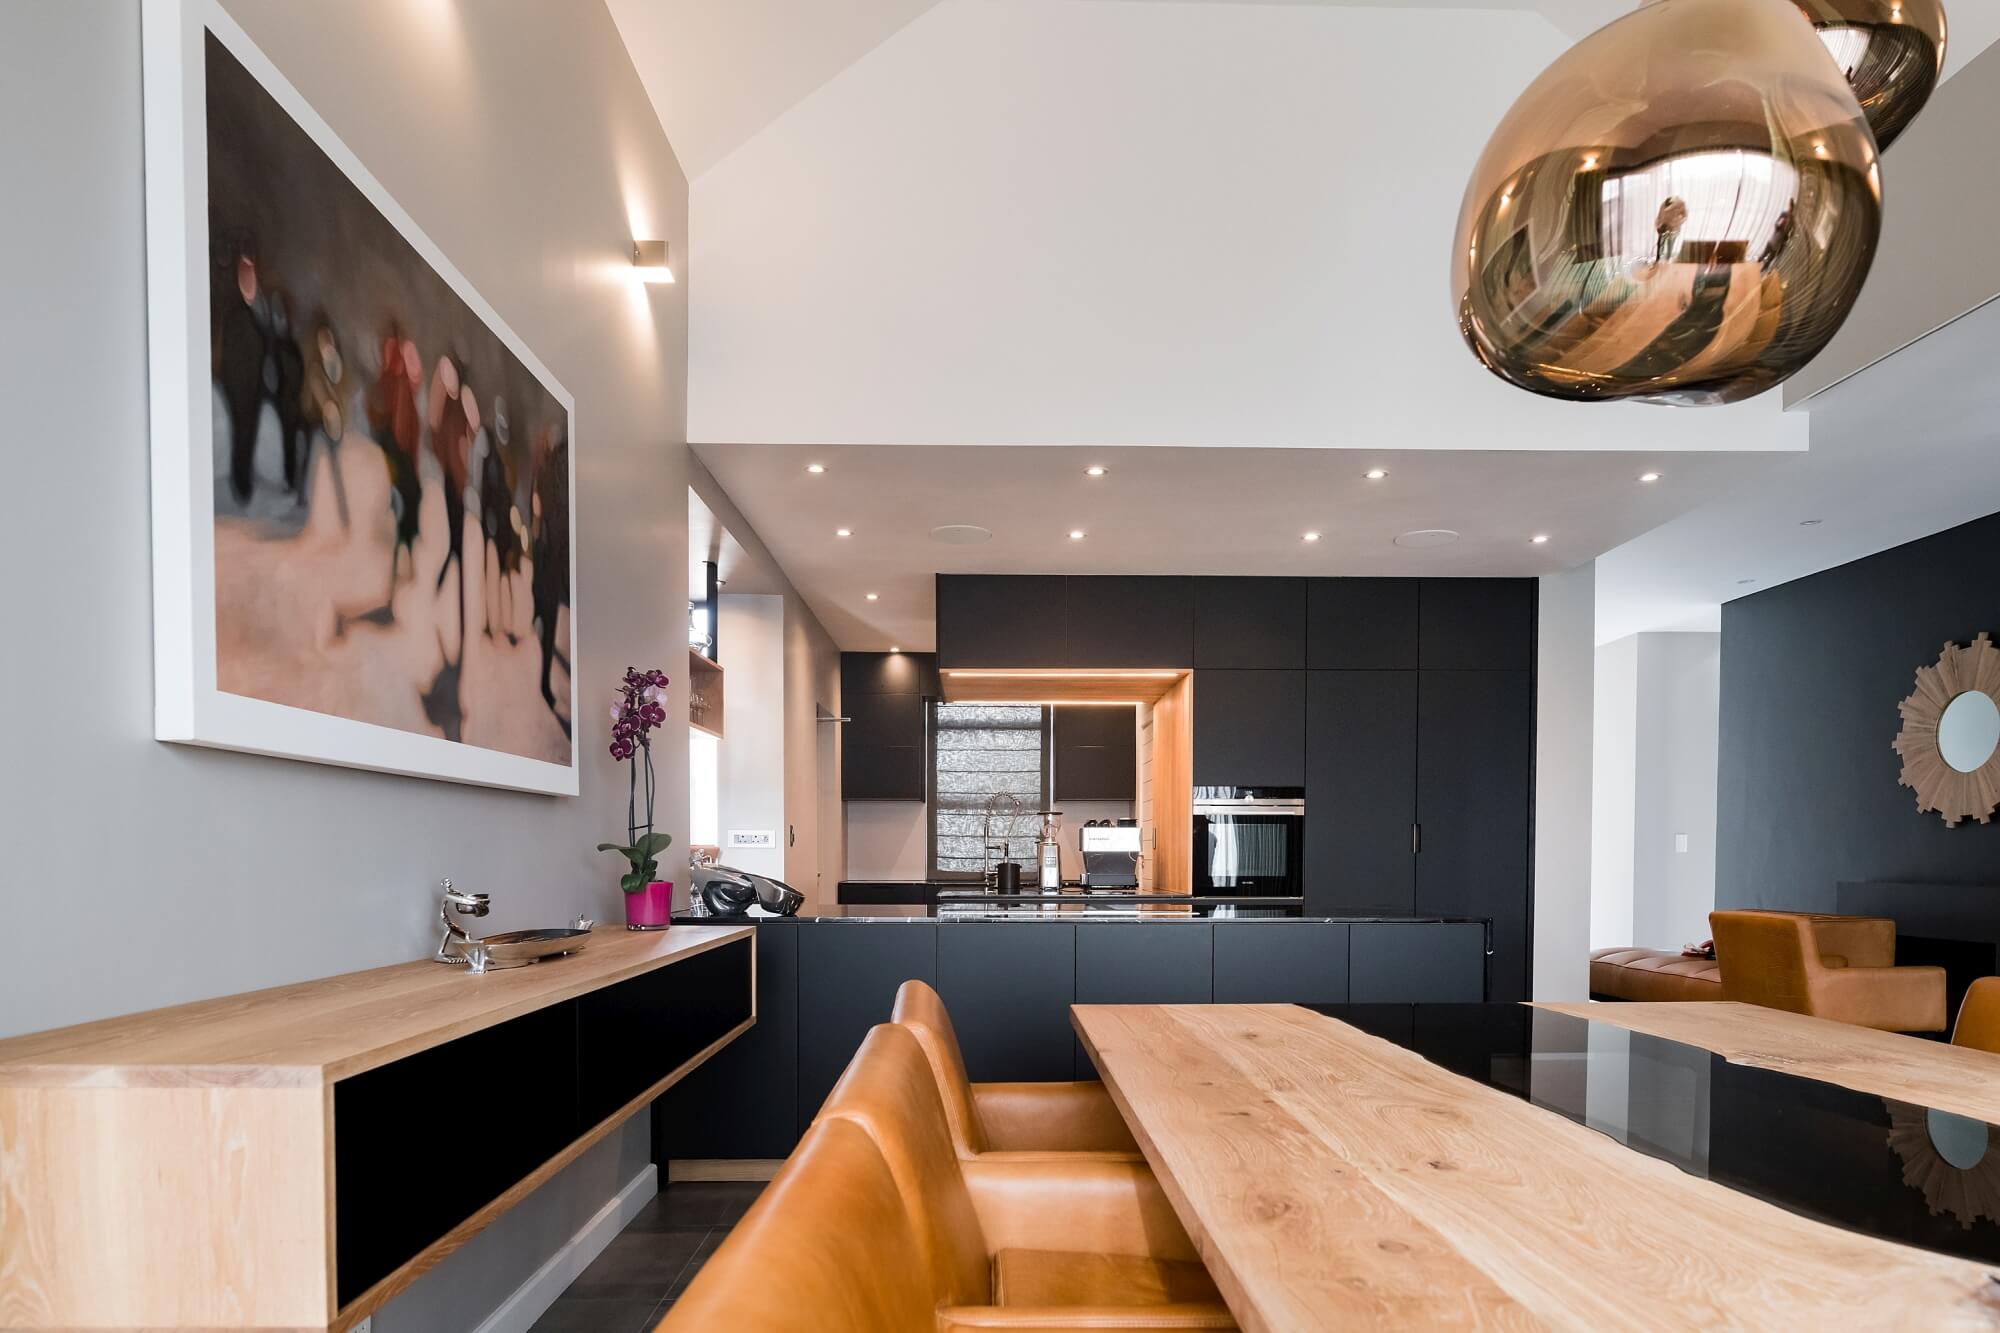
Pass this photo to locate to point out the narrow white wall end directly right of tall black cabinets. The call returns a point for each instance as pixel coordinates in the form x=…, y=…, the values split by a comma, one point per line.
x=1563, y=724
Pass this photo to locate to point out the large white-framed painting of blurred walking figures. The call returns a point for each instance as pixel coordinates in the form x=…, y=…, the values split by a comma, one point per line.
x=363, y=481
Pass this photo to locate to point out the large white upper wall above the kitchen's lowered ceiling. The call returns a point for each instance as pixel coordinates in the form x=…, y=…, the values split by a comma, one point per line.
x=1059, y=223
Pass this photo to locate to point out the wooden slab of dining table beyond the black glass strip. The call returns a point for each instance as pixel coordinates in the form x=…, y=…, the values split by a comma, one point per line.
x=1929, y=1074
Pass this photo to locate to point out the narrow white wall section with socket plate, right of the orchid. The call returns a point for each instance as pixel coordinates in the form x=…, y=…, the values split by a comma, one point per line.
x=751, y=778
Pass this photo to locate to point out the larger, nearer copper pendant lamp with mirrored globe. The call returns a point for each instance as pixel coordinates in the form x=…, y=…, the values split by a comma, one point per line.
x=1683, y=209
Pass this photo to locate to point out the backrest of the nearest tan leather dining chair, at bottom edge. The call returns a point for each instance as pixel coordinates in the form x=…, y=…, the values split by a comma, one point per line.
x=829, y=1248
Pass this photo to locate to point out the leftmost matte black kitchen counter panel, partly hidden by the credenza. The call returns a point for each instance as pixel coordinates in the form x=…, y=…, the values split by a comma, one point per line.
x=743, y=1104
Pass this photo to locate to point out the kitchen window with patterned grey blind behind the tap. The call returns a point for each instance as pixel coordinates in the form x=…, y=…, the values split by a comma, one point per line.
x=989, y=784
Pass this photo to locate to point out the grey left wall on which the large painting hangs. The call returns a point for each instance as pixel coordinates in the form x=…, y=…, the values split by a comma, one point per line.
x=137, y=874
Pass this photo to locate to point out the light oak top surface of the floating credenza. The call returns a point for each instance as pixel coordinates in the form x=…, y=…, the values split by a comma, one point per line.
x=319, y=1032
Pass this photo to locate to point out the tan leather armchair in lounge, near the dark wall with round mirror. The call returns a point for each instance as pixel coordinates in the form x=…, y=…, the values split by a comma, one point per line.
x=1829, y=968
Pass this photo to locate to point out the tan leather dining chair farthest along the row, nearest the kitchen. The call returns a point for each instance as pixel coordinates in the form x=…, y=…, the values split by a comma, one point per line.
x=1009, y=1118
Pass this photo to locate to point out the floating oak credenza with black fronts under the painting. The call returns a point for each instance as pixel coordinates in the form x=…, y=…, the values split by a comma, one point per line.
x=293, y=1158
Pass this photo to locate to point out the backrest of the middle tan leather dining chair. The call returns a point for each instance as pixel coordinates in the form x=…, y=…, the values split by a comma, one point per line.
x=891, y=1092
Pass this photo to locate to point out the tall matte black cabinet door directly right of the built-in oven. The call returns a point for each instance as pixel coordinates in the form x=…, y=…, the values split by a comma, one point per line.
x=1361, y=794
